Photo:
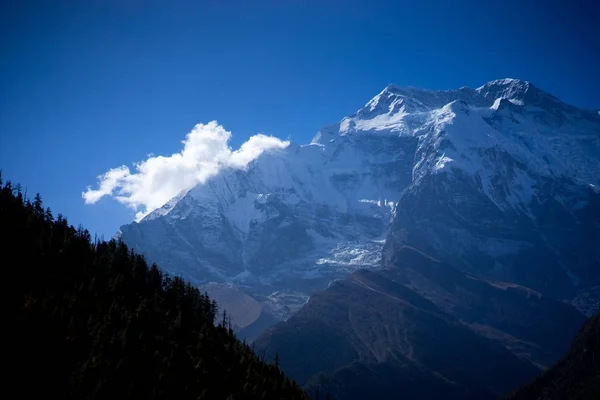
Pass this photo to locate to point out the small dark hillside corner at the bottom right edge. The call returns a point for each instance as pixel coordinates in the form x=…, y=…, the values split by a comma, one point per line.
x=576, y=376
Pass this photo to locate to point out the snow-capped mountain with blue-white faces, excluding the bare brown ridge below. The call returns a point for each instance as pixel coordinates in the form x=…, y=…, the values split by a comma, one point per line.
x=502, y=180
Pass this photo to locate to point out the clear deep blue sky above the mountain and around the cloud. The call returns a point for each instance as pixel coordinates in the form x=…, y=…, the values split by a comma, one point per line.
x=90, y=85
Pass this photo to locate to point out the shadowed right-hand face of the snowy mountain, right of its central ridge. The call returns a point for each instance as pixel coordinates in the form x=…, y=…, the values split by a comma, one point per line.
x=509, y=191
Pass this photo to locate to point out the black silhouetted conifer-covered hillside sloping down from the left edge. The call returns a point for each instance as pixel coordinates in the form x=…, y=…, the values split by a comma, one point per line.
x=90, y=320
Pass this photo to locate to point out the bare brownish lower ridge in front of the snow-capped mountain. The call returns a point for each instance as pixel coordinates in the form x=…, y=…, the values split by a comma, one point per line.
x=419, y=327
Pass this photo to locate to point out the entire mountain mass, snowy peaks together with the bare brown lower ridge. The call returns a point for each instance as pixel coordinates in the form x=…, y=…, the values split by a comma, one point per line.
x=454, y=233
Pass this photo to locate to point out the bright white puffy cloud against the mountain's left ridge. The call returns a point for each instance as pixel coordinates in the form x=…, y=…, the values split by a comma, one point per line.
x=158, y=179
